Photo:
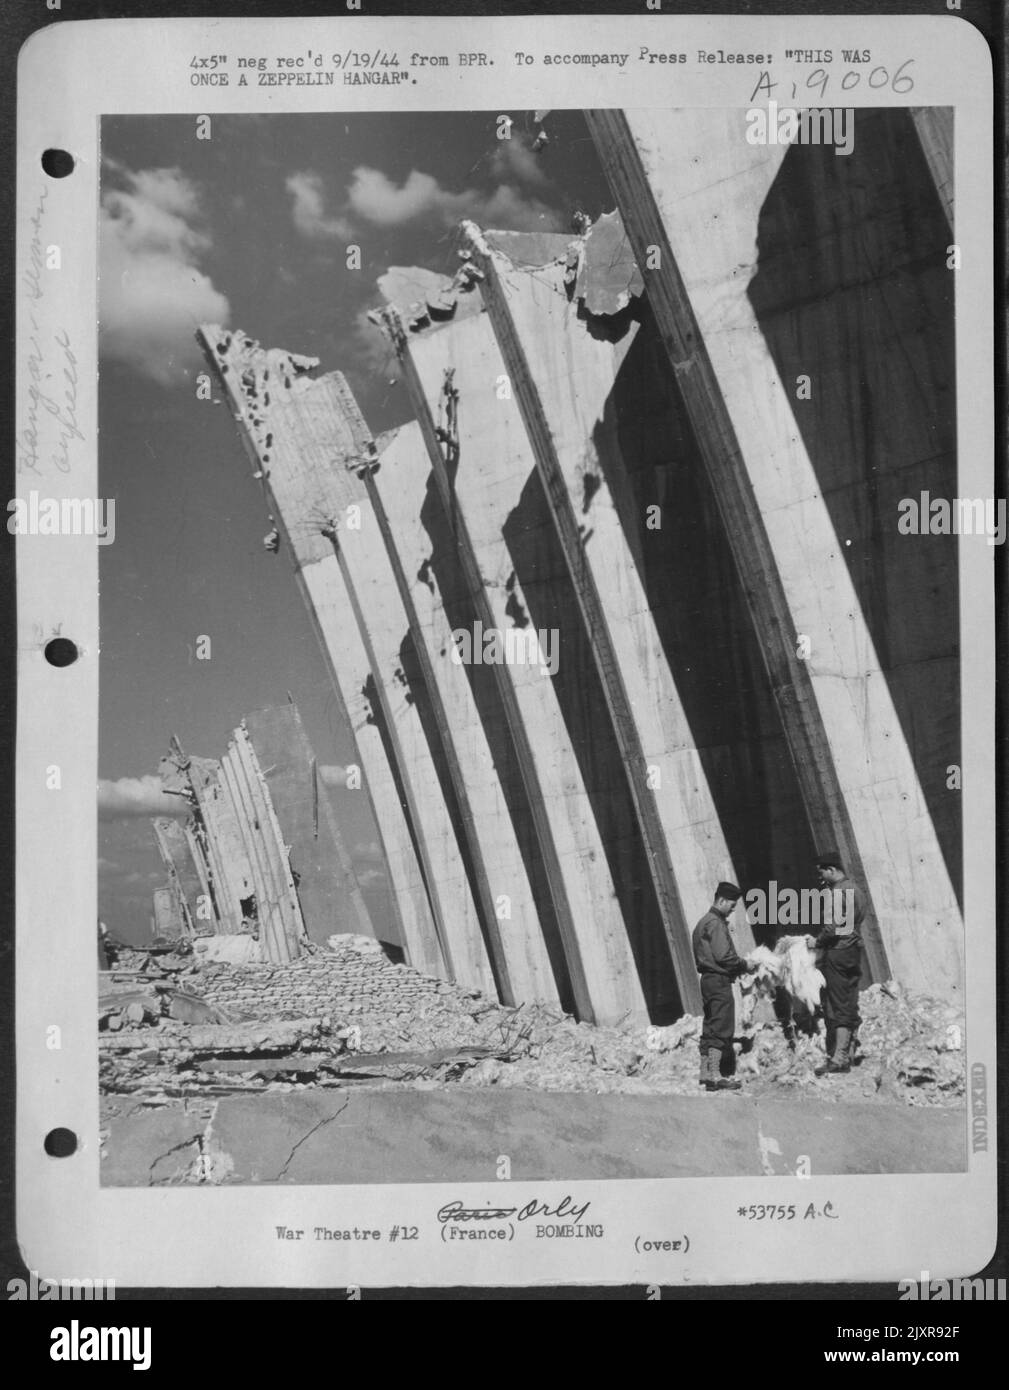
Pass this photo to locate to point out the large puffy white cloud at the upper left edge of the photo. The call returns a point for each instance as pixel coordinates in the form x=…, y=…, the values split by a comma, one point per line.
x=154, y=295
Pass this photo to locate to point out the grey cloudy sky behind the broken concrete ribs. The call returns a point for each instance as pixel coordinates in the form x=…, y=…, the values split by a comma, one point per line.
x=249, y=229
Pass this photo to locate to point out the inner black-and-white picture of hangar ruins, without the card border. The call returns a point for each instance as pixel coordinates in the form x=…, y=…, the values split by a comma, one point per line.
x=483, y=761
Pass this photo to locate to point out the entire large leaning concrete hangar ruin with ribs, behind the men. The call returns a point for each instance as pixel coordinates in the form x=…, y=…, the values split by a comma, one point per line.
x=614, y=450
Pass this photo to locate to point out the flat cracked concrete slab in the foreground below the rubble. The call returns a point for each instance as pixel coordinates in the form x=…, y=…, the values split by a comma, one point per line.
x=457, y=1135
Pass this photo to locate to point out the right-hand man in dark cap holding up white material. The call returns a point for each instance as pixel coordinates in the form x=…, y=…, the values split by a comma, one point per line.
x=842, y=963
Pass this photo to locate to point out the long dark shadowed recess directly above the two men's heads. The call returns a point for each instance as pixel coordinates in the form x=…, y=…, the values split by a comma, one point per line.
x=650, y=459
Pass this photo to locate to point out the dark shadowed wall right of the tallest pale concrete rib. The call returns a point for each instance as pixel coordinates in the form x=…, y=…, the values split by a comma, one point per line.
x=853, y=290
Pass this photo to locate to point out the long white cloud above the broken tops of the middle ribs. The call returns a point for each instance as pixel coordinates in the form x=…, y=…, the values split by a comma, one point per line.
x=379, y=201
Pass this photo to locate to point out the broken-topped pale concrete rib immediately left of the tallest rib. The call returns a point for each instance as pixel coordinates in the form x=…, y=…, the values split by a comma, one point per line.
x=565, y=329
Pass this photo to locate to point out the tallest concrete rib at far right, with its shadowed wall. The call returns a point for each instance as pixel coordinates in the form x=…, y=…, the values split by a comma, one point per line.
x=794, y=486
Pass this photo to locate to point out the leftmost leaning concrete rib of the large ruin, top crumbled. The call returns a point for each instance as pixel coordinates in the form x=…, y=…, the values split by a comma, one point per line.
x=304, y=450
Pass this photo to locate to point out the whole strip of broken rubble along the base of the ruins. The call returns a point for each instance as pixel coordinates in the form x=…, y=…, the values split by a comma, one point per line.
x=347, y=1015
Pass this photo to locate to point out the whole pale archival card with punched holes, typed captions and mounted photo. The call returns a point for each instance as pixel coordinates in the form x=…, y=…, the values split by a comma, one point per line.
x=507, y=547
